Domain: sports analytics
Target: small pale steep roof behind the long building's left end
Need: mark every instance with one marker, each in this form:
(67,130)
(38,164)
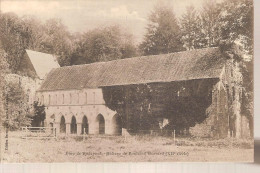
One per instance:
(43,63)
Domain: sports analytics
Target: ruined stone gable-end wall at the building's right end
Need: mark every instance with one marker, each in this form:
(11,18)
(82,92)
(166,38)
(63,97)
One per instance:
(224,114)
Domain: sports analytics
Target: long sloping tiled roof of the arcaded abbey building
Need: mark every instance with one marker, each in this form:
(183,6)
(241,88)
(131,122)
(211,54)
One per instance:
(187,65)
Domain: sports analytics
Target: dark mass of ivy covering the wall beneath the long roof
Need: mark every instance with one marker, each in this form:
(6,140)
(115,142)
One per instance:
(148,104)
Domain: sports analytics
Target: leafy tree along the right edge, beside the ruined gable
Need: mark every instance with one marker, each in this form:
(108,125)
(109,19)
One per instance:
(237,21)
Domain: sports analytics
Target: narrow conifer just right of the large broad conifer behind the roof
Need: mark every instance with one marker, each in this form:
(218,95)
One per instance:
(191,29)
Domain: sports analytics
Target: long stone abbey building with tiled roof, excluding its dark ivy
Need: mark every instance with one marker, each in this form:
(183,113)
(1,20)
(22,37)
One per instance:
(74,99)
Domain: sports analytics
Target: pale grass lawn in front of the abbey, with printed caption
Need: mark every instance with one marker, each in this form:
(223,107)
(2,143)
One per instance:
(121,149)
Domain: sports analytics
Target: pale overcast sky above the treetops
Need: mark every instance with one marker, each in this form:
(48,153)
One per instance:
(81,16)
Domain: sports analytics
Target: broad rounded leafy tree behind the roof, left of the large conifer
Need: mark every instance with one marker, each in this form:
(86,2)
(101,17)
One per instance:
(103,44)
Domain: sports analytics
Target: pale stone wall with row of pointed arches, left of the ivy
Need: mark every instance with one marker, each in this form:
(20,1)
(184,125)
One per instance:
(77,104)
